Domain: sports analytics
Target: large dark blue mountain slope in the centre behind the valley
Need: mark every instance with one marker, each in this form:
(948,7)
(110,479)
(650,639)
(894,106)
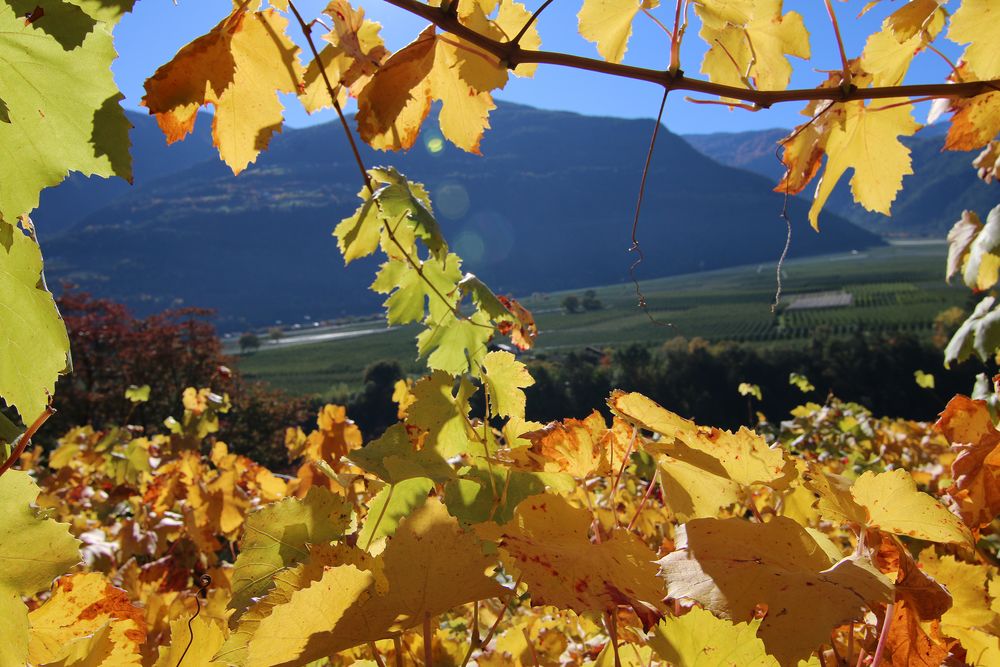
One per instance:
(549,207)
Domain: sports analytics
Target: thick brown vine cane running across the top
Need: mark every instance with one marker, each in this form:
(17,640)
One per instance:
(513,55)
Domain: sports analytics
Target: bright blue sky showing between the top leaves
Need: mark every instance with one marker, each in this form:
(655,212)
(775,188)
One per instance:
(156,29)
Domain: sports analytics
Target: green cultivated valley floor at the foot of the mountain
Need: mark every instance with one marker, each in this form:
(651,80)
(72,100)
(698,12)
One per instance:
(898,288)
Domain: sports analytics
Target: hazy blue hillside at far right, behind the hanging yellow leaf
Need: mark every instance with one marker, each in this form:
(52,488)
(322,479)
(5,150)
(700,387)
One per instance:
(933,198)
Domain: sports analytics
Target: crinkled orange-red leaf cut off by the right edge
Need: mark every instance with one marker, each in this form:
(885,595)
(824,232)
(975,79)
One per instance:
(967,424)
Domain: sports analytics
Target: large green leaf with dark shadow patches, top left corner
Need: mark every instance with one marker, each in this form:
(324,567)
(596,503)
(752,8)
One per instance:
(62,104)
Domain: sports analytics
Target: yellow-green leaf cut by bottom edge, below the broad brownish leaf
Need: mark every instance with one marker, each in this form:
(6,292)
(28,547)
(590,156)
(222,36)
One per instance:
(700,639)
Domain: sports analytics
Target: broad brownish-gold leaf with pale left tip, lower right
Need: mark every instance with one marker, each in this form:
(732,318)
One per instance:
(735,568)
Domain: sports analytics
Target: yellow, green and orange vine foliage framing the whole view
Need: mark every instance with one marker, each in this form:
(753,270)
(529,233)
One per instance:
(459,535)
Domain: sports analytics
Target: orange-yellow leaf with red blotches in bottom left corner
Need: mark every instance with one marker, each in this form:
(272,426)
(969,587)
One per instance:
(80,605)
